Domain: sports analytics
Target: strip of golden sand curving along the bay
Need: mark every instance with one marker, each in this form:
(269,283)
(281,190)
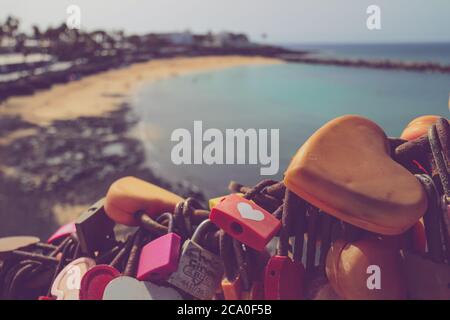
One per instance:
(105,92)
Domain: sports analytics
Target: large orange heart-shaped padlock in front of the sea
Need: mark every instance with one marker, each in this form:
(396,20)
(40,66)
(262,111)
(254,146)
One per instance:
(346,170)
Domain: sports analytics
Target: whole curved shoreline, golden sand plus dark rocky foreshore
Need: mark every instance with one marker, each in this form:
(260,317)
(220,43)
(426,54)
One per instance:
(60,148)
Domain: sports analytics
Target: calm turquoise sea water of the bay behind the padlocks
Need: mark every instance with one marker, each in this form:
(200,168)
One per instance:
(295,98)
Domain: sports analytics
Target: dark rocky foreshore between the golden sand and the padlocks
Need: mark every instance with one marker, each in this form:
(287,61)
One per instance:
(48,173)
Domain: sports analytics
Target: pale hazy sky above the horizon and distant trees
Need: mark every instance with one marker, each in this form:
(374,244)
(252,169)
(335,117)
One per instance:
(284,21)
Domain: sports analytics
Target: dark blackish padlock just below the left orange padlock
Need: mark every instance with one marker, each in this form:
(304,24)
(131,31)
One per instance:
(95,229)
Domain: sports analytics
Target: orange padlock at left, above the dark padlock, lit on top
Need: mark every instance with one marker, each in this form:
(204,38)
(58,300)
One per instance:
(130,195)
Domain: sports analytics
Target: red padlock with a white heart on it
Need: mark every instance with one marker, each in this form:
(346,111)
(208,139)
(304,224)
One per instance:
(245,221)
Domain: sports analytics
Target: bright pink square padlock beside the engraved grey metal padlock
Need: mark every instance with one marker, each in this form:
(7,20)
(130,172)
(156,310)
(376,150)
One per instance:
(159,258)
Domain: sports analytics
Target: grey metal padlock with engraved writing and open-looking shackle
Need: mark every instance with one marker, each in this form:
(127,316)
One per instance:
(199,271)
